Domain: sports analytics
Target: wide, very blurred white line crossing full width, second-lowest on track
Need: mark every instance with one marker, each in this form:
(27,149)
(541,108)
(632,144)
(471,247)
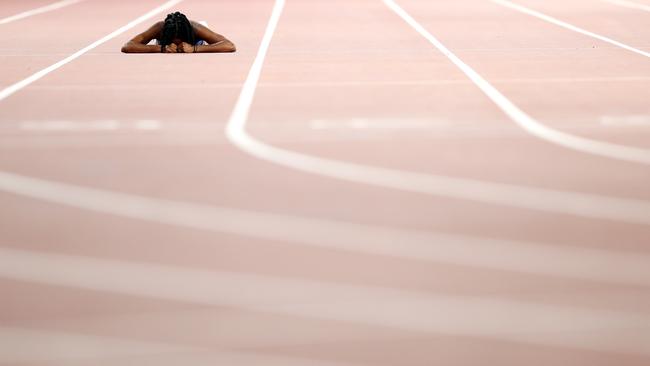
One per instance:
(483,316)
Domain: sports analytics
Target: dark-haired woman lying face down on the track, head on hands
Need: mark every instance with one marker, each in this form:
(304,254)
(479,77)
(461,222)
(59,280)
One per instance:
(177,34)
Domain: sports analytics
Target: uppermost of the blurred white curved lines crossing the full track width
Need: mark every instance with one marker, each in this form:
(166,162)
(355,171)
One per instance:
(560,261)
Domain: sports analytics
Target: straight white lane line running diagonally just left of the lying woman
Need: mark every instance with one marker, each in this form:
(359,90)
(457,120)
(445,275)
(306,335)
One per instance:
(8,91)
